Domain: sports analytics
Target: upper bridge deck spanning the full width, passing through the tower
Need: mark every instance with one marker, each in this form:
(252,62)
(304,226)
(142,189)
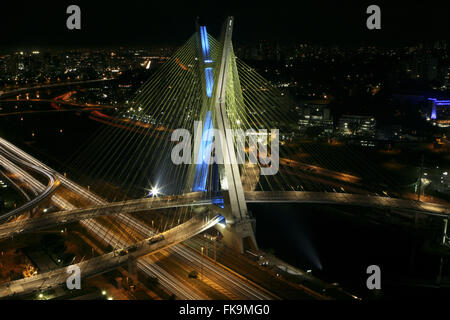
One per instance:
(198,199)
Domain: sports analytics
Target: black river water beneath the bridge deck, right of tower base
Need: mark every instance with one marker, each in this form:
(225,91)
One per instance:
(338,247)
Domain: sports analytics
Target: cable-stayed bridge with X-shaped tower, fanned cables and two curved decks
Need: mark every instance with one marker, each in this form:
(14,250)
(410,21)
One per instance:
(202,88)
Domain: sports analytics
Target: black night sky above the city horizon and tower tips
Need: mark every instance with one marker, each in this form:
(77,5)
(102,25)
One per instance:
(146,23)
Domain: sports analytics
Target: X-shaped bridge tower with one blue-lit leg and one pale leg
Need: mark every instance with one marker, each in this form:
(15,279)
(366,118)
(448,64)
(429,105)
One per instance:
(225,177)
